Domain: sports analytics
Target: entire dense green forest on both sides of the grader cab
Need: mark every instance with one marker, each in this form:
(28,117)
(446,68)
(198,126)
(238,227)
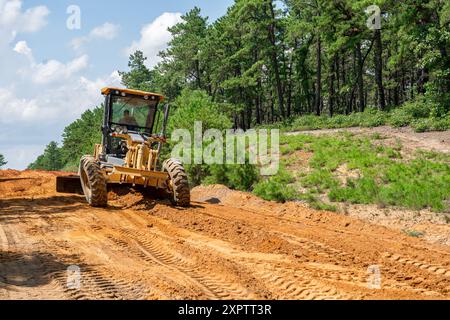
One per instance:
(294,64)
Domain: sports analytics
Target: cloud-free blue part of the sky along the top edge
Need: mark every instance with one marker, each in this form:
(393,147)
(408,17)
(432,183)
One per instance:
(131,16)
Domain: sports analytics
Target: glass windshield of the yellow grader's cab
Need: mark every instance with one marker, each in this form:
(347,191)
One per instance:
(137,114)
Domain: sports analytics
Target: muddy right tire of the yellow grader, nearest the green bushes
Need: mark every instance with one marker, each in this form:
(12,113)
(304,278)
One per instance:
(179,185)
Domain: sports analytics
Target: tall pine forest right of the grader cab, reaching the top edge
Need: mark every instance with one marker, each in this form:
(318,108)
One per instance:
(310,57)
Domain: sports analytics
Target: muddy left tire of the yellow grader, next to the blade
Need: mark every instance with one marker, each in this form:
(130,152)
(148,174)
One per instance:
(93,182)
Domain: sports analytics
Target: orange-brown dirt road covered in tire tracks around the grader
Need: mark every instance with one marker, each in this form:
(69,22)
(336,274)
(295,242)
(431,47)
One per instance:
(228,245)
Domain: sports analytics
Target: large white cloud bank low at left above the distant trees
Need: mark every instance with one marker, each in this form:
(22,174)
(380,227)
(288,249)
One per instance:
(38,105)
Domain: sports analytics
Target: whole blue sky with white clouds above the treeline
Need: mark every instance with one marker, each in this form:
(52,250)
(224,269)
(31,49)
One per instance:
(50,74)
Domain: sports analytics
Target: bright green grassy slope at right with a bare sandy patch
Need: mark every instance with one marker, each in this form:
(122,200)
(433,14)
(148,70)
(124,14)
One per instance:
(356,170)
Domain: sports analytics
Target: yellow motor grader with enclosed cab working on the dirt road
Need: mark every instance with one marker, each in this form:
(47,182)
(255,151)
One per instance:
(129,151)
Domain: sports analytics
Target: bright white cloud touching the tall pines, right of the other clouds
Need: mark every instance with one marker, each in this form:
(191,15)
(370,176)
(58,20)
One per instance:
(154,37)
